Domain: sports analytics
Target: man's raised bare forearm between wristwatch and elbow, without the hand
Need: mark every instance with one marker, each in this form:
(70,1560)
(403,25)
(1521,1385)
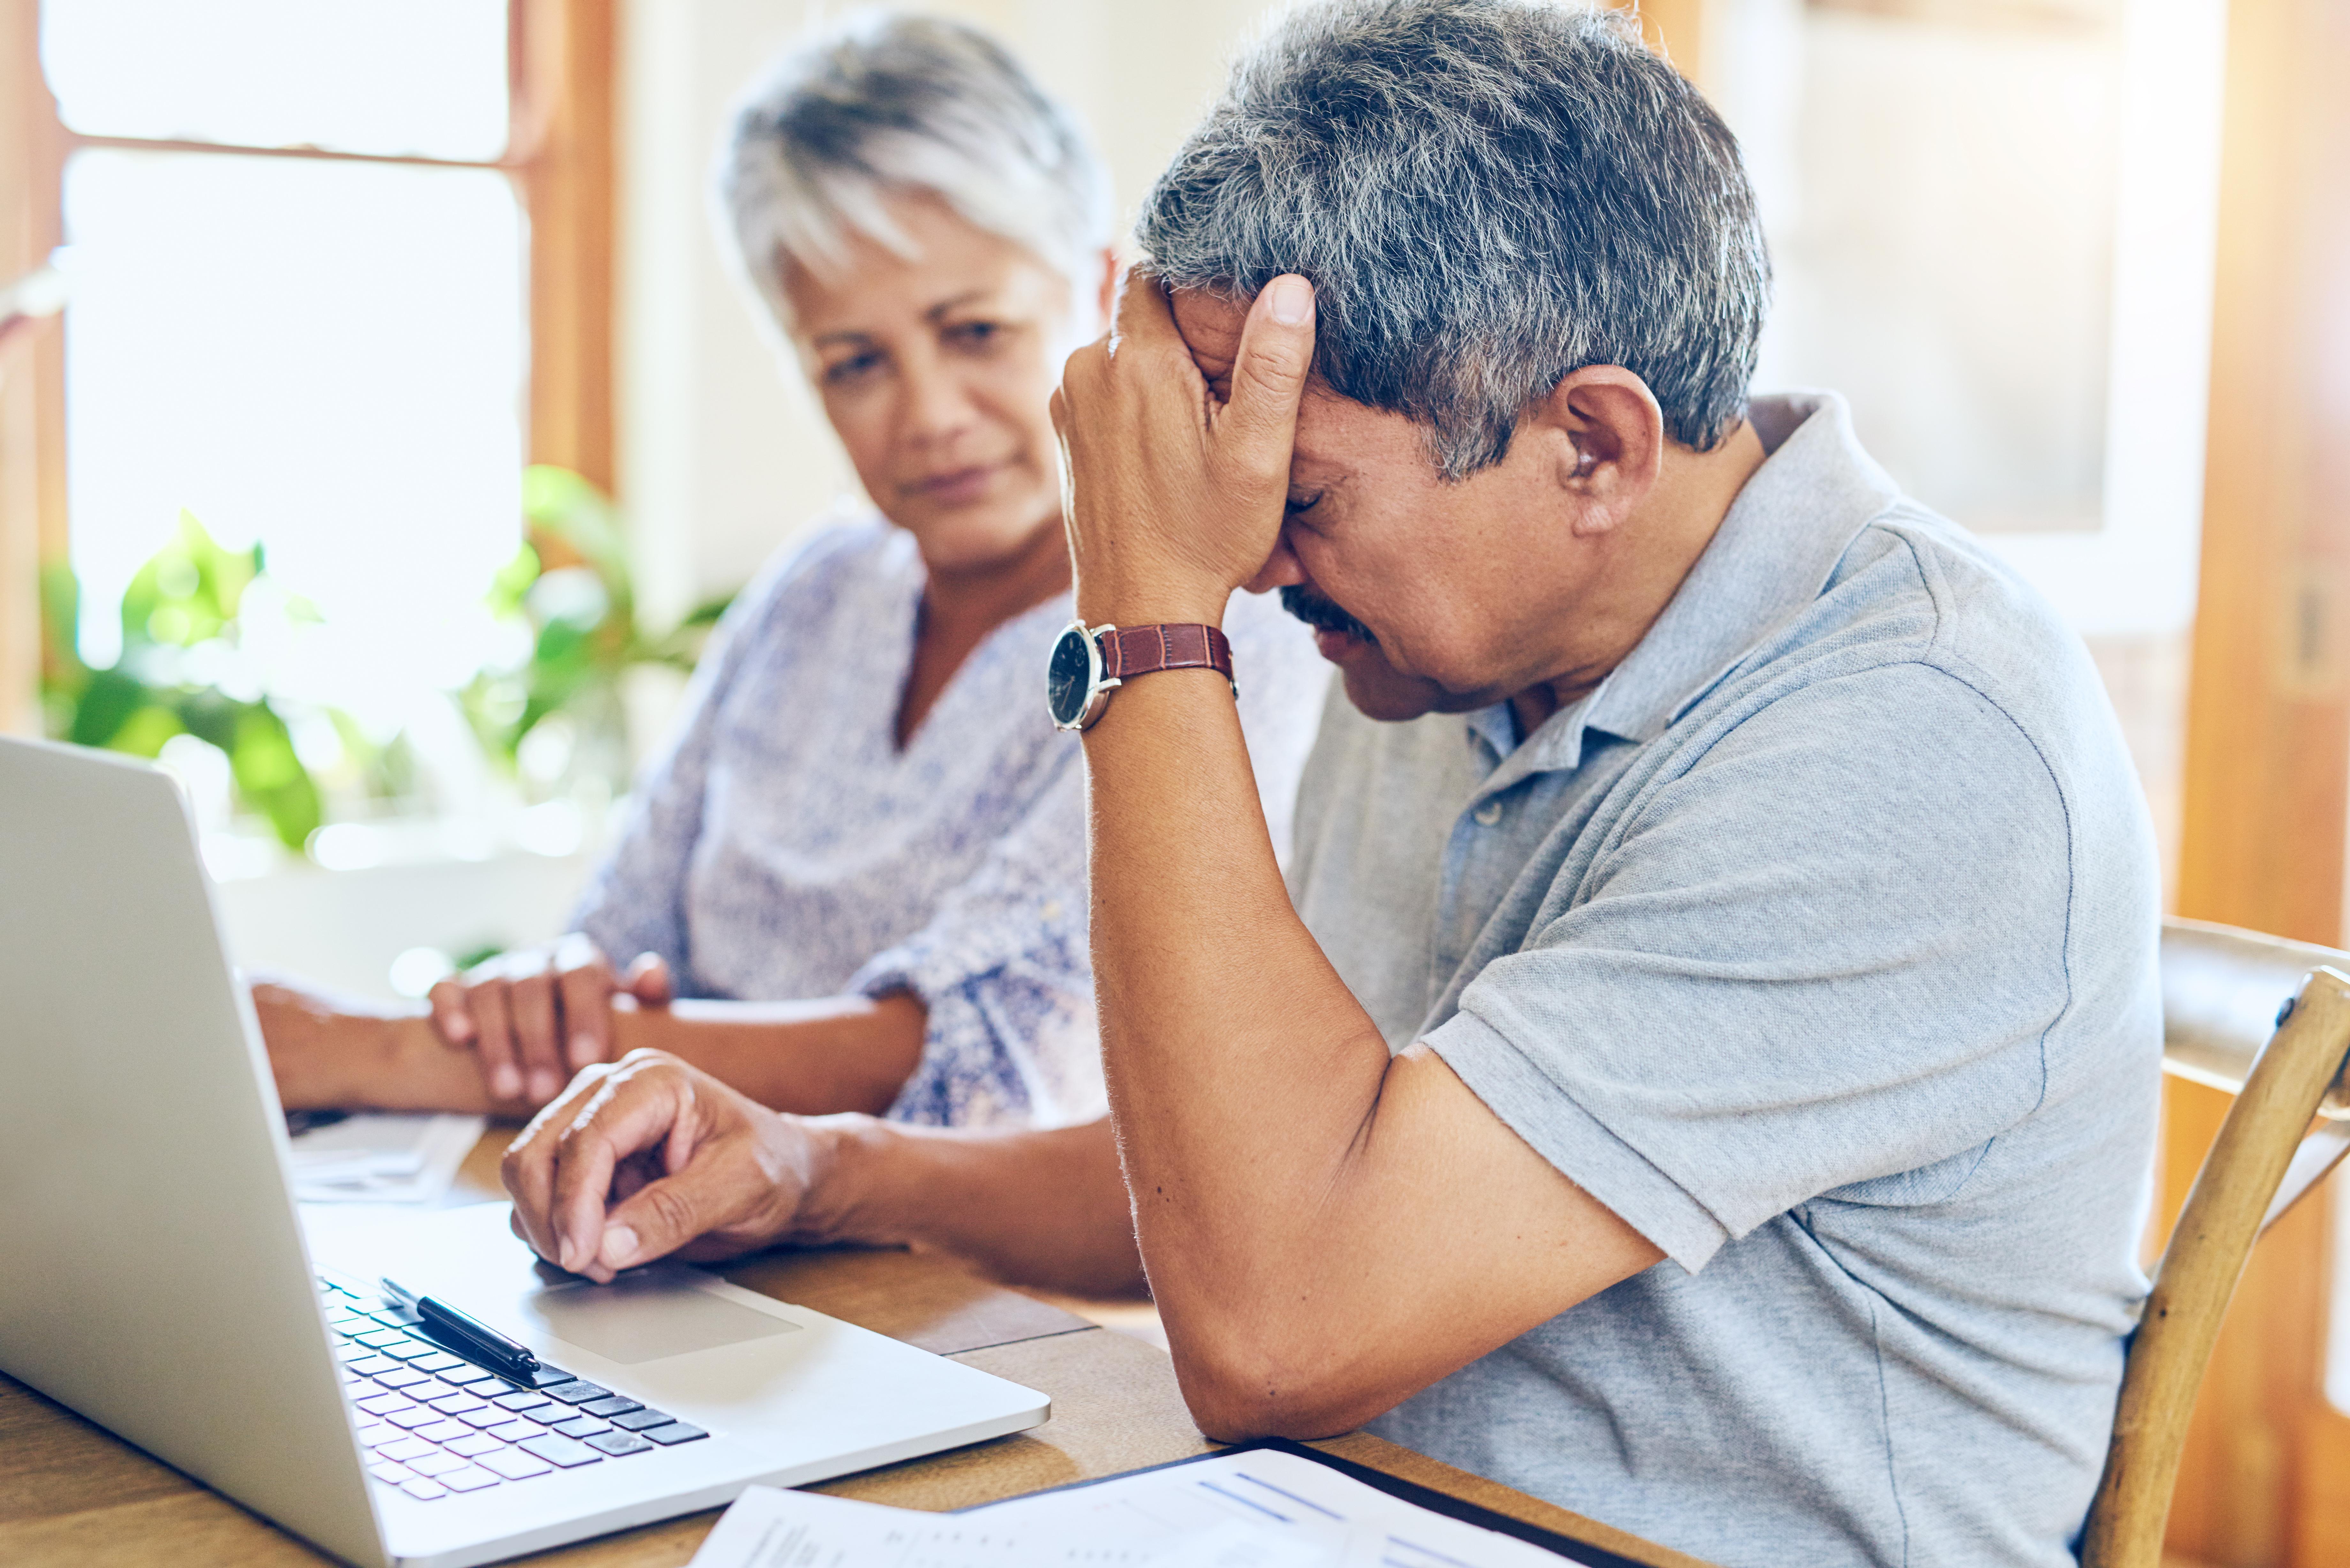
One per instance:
(1242,1071)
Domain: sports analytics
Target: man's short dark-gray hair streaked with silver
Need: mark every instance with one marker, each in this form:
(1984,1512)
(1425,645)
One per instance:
(1486,196)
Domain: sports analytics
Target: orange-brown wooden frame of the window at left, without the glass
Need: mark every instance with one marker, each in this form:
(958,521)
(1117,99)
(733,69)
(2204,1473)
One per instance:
(560,156)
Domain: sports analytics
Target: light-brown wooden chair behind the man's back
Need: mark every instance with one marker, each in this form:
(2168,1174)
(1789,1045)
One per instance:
(2269,1021)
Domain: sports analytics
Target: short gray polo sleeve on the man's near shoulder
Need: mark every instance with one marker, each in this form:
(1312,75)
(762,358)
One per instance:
(1820,953)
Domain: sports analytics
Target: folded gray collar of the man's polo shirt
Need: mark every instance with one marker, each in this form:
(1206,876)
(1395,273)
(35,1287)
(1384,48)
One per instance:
(1771,558)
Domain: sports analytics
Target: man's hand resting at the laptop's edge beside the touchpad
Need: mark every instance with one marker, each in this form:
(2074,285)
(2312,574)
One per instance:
(650,1158)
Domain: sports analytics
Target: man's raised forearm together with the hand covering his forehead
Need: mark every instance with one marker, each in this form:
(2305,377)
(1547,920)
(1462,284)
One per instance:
(1242,1073)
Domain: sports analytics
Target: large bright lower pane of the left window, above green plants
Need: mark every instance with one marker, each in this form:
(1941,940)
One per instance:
(316,356)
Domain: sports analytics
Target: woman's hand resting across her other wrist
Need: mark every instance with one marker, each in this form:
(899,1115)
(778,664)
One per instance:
(542,1014)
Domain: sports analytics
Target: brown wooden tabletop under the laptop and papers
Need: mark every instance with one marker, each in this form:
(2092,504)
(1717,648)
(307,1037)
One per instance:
(74,1494)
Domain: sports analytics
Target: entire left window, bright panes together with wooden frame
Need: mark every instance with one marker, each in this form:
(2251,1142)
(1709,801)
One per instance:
(337,274)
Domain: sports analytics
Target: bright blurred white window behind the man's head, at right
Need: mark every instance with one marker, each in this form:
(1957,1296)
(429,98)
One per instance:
(1994,229)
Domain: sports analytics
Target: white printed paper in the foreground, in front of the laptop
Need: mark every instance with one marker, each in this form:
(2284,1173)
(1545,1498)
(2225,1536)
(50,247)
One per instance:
(1237,1510)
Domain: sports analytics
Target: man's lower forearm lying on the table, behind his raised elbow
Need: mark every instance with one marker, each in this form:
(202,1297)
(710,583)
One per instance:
(1030,1209)
